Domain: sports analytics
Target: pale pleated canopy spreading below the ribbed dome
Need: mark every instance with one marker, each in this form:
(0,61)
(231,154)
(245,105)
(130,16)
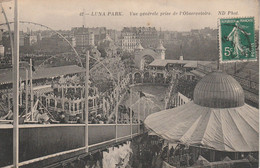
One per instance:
(223,129)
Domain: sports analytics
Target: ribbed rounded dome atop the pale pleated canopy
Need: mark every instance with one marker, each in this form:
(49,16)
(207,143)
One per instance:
(219,90)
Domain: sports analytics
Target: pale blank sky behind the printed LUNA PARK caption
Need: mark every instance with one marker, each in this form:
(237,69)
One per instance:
(64,14)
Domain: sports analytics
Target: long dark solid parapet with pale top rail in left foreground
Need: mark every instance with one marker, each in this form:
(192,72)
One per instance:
(39,142)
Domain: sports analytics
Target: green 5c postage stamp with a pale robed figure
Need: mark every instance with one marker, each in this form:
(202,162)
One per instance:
(237,39)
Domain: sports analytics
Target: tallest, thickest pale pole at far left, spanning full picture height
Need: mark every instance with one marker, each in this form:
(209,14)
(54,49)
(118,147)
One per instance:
(16,88)
